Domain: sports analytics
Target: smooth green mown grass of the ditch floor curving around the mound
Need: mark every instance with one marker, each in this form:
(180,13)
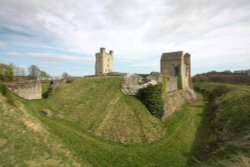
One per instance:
(172,150)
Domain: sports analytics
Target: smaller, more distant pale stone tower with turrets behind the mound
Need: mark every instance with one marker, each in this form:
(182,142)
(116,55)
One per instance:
(104,62)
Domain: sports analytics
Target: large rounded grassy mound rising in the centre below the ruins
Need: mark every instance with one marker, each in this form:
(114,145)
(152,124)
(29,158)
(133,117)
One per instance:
(98,105)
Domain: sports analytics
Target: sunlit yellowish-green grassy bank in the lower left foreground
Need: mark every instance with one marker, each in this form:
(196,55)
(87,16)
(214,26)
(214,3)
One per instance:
(26,141)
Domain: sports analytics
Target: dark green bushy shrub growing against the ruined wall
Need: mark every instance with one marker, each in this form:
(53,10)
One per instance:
(152,99)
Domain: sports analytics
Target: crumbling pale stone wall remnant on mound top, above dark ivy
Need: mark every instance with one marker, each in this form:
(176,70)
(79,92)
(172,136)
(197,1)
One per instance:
(133,82)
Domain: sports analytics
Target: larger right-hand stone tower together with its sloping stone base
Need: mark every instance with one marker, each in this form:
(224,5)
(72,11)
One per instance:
(176,71)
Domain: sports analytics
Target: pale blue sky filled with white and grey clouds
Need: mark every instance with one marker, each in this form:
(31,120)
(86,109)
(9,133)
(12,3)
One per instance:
(64,35)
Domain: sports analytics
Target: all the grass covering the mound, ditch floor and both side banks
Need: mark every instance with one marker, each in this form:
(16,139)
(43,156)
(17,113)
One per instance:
(93,123)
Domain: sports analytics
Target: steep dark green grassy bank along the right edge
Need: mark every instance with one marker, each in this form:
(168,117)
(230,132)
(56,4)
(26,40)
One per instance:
(225,137)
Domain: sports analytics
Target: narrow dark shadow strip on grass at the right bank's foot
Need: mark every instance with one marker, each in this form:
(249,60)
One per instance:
(200,148)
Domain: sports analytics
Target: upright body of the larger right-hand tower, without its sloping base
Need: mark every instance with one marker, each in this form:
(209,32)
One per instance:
(175,67)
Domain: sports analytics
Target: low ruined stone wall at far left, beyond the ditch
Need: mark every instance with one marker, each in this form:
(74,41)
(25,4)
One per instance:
(30,89)
